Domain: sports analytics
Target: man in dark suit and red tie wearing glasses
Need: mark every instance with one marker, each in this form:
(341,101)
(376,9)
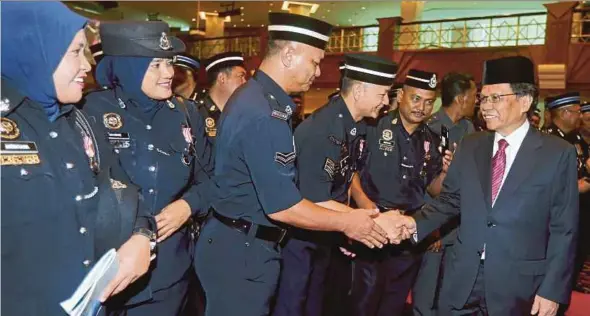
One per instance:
(516,191)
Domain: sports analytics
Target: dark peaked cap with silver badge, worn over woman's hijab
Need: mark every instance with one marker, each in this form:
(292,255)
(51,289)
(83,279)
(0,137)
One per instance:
(139,39)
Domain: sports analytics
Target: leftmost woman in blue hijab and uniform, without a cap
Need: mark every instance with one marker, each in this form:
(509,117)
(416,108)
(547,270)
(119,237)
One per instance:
(55,178)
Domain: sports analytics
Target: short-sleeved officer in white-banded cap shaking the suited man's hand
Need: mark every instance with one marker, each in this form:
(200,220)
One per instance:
(239,251)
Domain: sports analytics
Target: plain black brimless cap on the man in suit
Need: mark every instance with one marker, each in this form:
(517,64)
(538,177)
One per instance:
(514,69)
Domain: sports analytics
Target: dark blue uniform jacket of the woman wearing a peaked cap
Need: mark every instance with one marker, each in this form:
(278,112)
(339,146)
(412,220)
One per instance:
(156,150)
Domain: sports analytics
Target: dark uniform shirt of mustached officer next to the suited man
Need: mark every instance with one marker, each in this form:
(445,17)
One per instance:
(400,166)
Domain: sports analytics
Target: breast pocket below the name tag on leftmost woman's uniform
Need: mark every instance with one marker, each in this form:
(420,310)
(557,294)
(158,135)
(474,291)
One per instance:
(29,195)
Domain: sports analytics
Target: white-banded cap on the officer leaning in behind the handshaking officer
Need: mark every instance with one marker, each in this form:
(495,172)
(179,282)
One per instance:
(371,69)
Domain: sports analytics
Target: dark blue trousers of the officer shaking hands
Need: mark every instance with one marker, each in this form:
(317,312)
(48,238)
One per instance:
(239,273)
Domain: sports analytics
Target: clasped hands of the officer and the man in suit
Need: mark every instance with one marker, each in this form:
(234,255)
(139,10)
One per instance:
(389,227)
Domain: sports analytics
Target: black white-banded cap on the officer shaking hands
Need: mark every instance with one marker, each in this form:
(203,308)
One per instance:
(299,28)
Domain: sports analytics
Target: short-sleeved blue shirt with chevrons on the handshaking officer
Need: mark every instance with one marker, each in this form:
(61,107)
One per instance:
(255,154)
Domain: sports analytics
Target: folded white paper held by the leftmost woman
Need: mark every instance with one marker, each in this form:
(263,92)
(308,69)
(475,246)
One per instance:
(85,300)
